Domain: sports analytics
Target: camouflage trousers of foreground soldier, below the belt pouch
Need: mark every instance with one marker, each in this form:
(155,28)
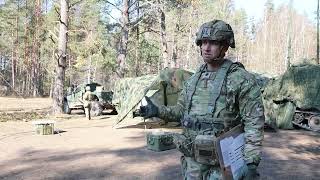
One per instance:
(192,170)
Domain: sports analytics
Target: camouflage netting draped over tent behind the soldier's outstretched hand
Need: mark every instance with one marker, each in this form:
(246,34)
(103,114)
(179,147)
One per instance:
(162,89)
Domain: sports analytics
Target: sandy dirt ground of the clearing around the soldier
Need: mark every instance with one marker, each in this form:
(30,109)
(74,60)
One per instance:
(96,150)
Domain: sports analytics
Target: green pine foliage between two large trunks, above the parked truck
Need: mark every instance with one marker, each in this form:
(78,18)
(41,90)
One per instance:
(89,42)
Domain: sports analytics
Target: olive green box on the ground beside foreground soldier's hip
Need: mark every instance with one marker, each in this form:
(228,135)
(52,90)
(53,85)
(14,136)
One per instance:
(160,141)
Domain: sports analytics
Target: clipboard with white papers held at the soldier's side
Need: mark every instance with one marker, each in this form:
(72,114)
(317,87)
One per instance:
(236,137)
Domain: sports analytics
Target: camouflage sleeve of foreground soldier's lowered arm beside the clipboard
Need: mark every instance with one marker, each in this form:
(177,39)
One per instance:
(252,114)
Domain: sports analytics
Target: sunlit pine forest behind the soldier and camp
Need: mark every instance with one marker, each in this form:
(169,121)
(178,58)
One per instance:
(47,45)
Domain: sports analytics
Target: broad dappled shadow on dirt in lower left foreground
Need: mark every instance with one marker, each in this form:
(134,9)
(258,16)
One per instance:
(44,164)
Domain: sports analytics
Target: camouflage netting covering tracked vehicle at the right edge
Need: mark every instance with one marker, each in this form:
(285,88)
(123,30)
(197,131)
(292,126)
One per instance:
(298,87)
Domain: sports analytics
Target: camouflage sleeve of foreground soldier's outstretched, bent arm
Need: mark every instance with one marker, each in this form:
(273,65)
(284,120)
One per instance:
(174,113)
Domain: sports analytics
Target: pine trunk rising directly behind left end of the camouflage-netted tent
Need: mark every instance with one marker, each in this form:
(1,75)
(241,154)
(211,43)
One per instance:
(122,48)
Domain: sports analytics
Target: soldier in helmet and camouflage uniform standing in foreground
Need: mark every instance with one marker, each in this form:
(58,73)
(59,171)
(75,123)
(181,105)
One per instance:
(219,96)
